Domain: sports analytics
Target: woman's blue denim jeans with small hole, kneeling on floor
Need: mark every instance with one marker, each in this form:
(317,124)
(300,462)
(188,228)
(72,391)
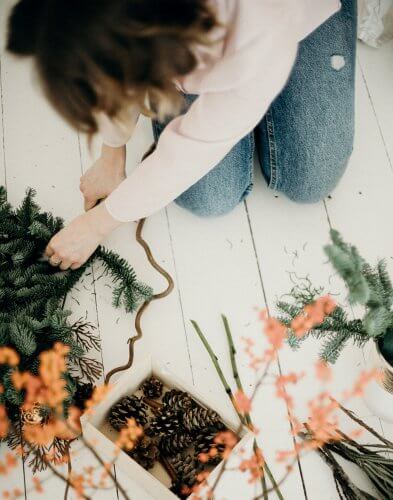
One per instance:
(305,139)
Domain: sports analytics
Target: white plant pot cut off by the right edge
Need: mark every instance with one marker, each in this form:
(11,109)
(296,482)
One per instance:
(378,394)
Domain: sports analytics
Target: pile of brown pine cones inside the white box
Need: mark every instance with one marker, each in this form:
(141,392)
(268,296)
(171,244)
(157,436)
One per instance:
(176,431)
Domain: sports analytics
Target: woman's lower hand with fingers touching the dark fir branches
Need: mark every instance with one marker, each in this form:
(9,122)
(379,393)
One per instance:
(72,246)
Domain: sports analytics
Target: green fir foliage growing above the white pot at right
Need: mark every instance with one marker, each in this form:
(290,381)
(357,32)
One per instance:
(368,286)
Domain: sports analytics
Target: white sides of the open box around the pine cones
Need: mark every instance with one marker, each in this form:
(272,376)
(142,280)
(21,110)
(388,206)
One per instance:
(154,484)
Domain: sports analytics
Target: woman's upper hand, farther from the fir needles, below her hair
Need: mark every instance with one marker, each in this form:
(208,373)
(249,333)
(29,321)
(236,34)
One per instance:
(103,176)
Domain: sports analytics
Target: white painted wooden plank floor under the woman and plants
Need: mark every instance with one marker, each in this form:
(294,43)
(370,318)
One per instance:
(228,265)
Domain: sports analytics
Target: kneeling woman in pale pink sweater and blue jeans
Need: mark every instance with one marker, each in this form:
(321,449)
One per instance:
(277,75)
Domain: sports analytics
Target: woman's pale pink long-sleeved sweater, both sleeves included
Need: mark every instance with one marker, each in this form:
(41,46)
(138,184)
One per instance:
(236,80)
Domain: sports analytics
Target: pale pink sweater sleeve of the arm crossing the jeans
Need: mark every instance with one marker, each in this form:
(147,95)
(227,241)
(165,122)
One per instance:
(194,143)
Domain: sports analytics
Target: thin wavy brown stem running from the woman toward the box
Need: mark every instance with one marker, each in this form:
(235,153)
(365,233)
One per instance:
(142,309)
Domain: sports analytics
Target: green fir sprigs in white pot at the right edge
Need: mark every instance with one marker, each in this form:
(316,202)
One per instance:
(369,287)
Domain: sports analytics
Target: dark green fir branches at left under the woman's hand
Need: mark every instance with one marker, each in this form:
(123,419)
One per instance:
(32,294)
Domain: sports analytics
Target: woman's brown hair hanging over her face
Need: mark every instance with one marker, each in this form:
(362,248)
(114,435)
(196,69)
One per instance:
(107,55)
